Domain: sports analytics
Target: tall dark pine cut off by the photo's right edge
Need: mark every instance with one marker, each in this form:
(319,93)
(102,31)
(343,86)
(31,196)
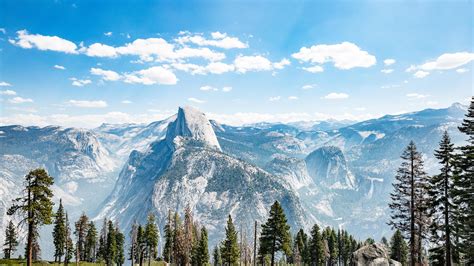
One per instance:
(464,190)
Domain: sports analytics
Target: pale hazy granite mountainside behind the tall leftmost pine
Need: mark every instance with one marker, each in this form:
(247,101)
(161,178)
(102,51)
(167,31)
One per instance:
(82,167)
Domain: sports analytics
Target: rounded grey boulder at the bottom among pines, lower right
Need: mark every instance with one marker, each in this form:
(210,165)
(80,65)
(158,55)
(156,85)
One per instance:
(373,255)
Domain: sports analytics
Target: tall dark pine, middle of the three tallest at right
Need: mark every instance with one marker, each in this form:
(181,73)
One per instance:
(441,204)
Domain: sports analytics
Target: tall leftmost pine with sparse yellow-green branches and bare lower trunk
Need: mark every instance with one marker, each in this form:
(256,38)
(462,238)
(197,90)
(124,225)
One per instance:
(35,206)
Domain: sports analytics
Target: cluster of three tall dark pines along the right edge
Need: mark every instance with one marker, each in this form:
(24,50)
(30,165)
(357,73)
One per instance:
(437,211)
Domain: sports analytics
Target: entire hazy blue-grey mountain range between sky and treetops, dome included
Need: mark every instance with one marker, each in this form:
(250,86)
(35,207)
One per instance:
(330,172)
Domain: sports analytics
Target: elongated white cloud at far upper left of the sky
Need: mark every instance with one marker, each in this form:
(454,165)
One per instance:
(44,43)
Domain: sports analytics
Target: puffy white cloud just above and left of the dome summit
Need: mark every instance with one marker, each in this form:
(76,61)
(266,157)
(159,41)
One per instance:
(152,75)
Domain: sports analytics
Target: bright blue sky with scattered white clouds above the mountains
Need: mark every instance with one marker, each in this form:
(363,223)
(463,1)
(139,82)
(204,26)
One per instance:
(81,63)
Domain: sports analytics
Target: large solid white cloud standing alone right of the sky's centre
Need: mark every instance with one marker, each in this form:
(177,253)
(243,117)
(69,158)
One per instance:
(345,55)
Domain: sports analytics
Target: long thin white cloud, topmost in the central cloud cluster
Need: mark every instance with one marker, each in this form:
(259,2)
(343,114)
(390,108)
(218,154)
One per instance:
(220,40)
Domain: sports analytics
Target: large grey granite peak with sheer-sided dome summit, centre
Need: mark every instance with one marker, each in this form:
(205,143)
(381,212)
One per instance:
(188,167)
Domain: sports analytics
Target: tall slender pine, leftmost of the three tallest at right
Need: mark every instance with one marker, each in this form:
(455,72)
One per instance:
(407,204)
